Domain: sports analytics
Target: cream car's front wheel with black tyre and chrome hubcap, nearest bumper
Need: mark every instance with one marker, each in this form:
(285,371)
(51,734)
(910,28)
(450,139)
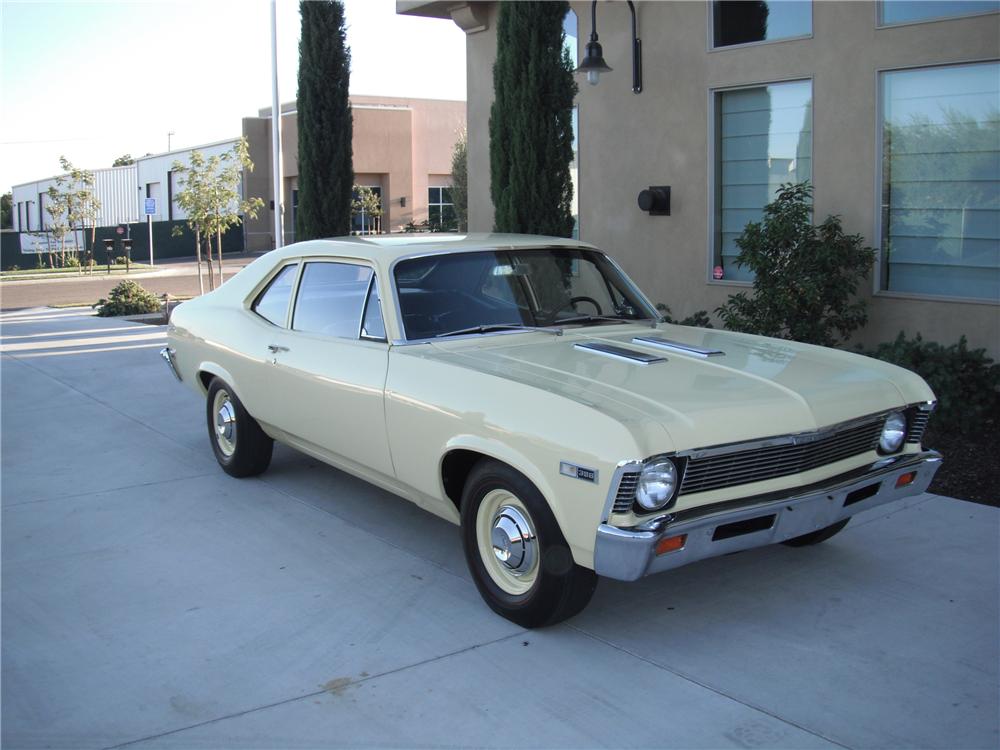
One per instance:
(517,554)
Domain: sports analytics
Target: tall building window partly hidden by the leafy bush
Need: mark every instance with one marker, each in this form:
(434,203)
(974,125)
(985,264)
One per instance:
(763,139)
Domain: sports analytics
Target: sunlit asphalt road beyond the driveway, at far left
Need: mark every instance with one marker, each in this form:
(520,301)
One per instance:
(177,277)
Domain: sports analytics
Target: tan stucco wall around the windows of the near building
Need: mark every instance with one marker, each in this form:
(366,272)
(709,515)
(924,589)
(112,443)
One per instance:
(662,136)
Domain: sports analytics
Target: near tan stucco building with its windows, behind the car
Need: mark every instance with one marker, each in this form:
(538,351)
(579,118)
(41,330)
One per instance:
(889,108)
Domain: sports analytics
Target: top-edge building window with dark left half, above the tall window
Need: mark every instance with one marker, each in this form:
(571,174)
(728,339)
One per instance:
(742,22)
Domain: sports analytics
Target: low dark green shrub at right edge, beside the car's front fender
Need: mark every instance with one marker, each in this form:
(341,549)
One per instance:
(965,381)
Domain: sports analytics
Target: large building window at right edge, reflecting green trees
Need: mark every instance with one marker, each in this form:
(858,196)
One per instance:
(940,196)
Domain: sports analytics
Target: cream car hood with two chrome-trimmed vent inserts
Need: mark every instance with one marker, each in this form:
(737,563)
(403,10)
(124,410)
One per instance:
(759,387)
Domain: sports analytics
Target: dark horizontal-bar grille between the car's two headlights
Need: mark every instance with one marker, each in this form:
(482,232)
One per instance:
(759,464)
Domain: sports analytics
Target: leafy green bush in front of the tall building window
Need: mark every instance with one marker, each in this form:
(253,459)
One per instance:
(805,276)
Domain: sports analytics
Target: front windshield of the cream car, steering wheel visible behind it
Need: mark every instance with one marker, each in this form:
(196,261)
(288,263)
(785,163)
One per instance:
(446,294)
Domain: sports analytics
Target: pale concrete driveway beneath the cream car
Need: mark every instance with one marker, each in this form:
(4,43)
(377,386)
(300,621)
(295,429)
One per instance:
(149,600)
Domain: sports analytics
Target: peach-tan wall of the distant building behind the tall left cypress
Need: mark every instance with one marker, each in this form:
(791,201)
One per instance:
(401,145)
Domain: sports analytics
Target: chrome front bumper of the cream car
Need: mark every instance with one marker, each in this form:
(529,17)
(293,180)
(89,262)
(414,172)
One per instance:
(631,553)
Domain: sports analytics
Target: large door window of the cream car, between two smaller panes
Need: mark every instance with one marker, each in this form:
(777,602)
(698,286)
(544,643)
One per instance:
(331,299)
